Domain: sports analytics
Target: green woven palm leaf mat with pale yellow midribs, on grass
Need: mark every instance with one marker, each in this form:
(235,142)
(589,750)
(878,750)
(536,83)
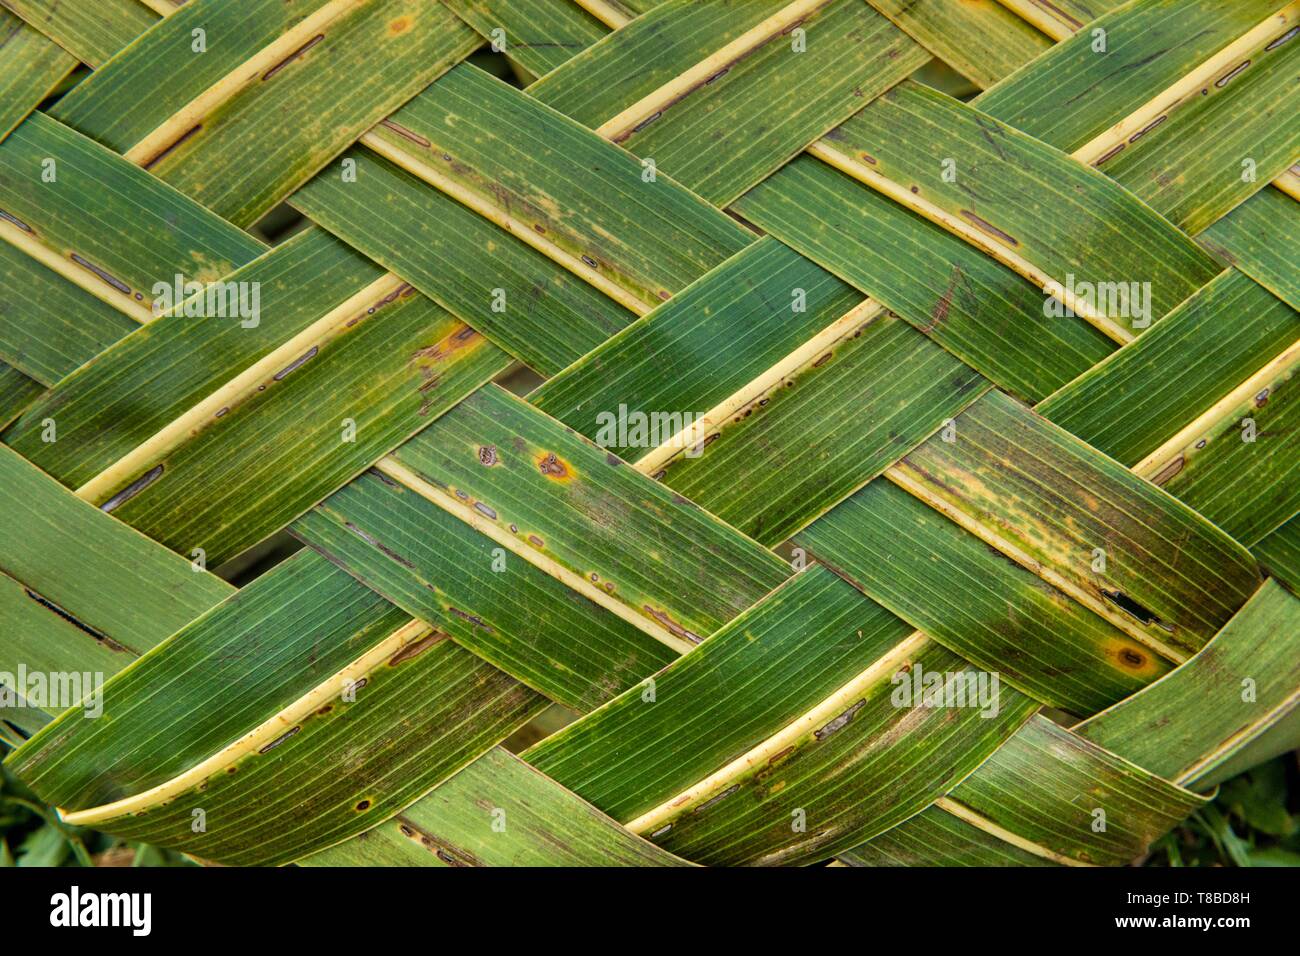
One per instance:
(859,431)
